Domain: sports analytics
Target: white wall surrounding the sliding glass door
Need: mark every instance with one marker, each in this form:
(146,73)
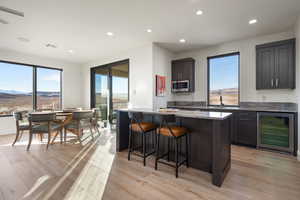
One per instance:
(140,75)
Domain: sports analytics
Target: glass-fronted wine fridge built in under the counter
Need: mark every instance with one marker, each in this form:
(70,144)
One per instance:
(275,131)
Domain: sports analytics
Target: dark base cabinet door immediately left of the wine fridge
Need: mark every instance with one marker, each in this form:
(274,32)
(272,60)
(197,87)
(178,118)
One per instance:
(247,128)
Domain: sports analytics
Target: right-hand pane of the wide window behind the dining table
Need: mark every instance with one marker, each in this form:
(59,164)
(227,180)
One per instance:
(48,89)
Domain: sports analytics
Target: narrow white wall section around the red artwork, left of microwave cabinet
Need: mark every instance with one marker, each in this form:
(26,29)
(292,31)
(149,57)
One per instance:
(161,66)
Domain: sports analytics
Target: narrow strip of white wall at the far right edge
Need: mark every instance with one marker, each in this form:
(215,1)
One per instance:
(297,33)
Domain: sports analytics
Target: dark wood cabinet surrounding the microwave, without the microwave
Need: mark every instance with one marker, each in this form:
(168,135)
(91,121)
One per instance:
(184,69)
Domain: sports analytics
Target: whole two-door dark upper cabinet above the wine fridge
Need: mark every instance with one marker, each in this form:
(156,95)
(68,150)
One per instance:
(275,65)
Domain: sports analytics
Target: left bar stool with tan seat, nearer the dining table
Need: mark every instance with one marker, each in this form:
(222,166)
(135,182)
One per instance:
(138,126)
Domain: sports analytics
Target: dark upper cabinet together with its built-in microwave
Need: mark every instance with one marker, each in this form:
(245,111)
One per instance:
(183,75)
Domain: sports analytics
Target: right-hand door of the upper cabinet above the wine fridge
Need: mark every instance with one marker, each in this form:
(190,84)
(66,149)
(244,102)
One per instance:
(284,67)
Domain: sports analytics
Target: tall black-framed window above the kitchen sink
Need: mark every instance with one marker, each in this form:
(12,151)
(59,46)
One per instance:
(223,80)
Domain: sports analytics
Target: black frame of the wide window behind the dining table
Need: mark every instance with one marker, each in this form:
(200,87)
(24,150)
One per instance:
(34,82)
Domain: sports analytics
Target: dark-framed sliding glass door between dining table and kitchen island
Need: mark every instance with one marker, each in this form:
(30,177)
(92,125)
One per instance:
(110,84)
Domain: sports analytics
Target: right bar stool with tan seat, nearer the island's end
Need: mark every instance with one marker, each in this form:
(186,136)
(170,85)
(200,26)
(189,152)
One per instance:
(171,132)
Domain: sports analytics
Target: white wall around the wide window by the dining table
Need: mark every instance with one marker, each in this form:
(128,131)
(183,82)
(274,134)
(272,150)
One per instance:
(71,83)
